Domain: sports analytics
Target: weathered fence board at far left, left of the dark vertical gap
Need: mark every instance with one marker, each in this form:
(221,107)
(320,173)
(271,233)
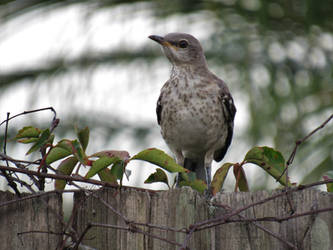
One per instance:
(32,223)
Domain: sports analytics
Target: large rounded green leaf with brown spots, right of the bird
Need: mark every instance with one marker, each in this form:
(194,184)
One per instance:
(270,160)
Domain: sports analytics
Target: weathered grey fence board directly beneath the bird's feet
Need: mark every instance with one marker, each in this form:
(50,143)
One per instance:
(178,208)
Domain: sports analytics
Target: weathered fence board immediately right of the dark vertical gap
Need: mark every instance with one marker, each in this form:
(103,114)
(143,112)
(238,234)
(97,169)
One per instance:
(131,203)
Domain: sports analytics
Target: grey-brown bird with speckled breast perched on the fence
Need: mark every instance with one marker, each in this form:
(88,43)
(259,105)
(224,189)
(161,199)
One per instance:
(195,109)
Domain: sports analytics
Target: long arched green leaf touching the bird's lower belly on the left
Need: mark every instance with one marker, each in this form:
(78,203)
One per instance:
(159,158)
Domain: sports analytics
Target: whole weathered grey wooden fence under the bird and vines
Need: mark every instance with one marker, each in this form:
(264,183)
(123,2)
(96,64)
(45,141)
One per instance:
(136,219)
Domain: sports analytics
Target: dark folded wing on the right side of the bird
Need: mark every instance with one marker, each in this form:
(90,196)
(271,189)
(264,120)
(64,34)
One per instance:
(229,111)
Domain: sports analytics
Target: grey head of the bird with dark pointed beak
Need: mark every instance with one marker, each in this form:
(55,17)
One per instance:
(181,48)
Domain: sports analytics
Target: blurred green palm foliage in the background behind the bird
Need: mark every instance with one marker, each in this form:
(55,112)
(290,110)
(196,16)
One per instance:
(276,55)
